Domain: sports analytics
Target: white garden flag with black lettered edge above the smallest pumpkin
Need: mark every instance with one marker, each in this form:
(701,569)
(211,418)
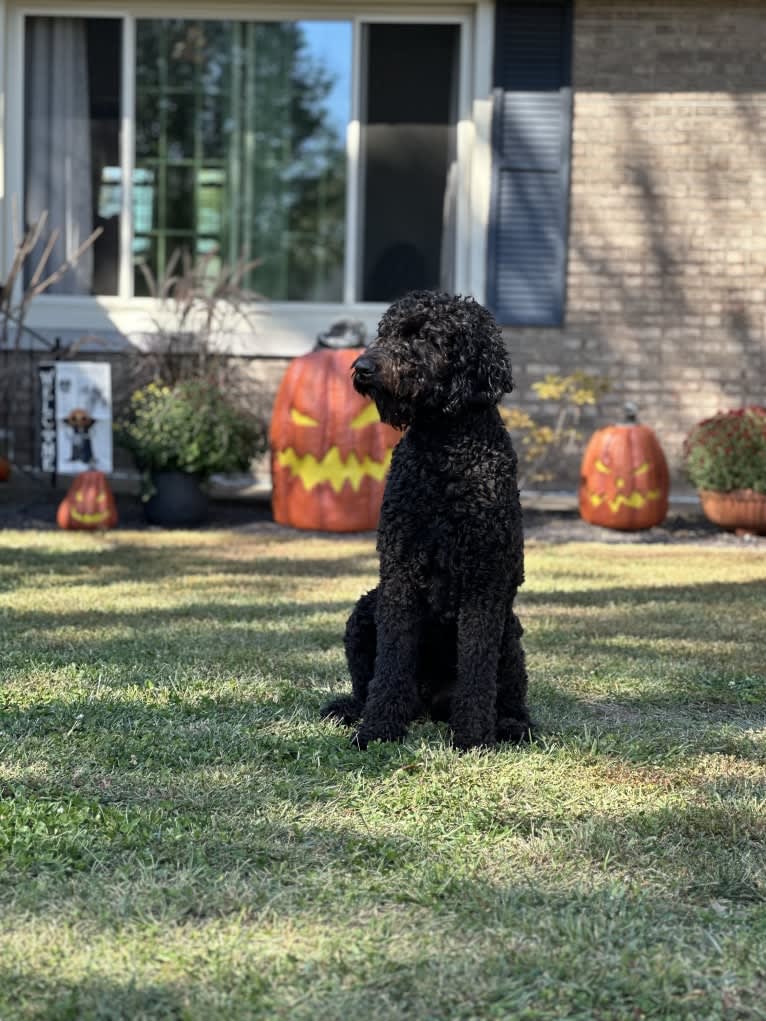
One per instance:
(76,417)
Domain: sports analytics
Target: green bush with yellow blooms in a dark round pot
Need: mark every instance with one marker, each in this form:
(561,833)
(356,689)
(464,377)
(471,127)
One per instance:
(181,435)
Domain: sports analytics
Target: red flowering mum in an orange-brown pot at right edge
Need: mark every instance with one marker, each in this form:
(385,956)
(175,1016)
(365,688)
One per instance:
(726,461)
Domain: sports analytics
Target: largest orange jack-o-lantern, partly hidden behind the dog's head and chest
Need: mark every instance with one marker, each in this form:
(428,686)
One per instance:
(330,452)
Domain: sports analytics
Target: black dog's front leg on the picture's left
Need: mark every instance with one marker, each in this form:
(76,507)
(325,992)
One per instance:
(393,698)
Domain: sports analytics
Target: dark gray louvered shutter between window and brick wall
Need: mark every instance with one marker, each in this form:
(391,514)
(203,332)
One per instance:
(532,144)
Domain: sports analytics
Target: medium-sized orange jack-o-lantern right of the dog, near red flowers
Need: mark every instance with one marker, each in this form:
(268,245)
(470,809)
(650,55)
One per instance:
(625,479)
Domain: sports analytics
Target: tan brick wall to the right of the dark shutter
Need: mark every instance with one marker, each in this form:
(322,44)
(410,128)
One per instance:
(667,251)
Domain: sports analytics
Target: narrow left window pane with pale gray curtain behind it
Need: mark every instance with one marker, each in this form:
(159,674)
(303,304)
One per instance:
(72,152)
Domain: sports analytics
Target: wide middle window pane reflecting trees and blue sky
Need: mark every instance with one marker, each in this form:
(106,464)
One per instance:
(242,141)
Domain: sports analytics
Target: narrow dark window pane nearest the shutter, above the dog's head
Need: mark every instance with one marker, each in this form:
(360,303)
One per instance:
(409,142)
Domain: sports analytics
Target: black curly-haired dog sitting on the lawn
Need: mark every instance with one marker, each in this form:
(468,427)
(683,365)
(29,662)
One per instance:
(439,637)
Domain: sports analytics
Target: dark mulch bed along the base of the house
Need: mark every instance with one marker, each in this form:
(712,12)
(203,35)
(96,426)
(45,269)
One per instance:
(36,509)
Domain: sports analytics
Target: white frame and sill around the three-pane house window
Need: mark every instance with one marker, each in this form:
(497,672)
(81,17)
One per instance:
(282,328)
